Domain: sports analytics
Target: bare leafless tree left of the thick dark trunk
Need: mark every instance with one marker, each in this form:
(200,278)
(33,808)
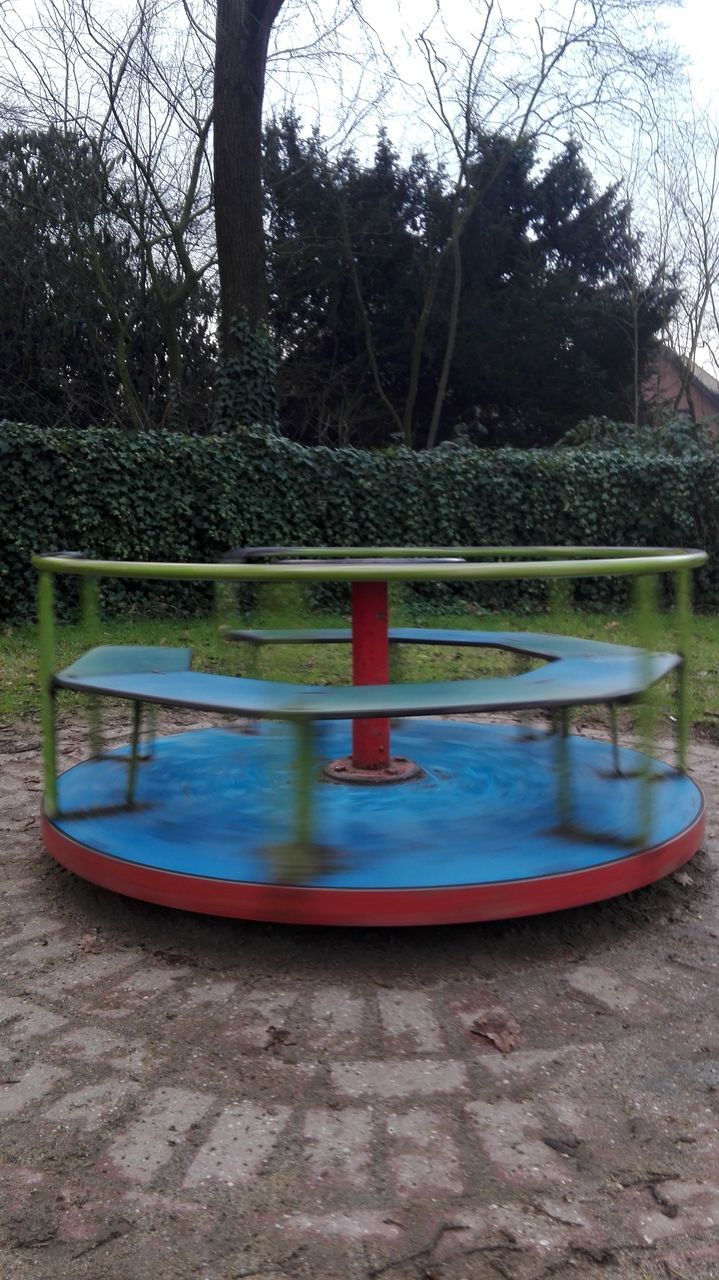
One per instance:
(138,89)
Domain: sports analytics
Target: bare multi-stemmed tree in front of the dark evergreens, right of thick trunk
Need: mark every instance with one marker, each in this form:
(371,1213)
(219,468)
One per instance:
(579,70)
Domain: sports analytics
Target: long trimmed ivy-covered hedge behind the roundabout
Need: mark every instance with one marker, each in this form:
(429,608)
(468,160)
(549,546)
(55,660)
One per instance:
(177,497)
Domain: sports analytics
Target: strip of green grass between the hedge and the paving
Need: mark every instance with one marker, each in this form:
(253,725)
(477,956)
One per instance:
(331,664)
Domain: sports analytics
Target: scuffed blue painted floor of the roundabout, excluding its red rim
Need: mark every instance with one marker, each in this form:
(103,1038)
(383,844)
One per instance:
(217,802)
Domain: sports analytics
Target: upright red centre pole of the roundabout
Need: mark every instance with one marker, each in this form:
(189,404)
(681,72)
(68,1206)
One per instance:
(370,666)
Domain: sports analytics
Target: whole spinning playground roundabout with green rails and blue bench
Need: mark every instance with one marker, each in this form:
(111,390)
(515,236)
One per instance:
(365,804)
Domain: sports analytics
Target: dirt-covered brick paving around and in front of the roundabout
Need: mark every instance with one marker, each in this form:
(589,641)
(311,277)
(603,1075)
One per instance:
(187,1098)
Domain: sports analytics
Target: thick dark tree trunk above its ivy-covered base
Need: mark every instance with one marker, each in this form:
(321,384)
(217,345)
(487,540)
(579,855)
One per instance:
(244,33)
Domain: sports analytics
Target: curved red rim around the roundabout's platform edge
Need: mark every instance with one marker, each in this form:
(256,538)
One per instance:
(294,904)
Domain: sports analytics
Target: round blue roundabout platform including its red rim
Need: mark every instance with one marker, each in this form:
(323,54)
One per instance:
(478,836)
